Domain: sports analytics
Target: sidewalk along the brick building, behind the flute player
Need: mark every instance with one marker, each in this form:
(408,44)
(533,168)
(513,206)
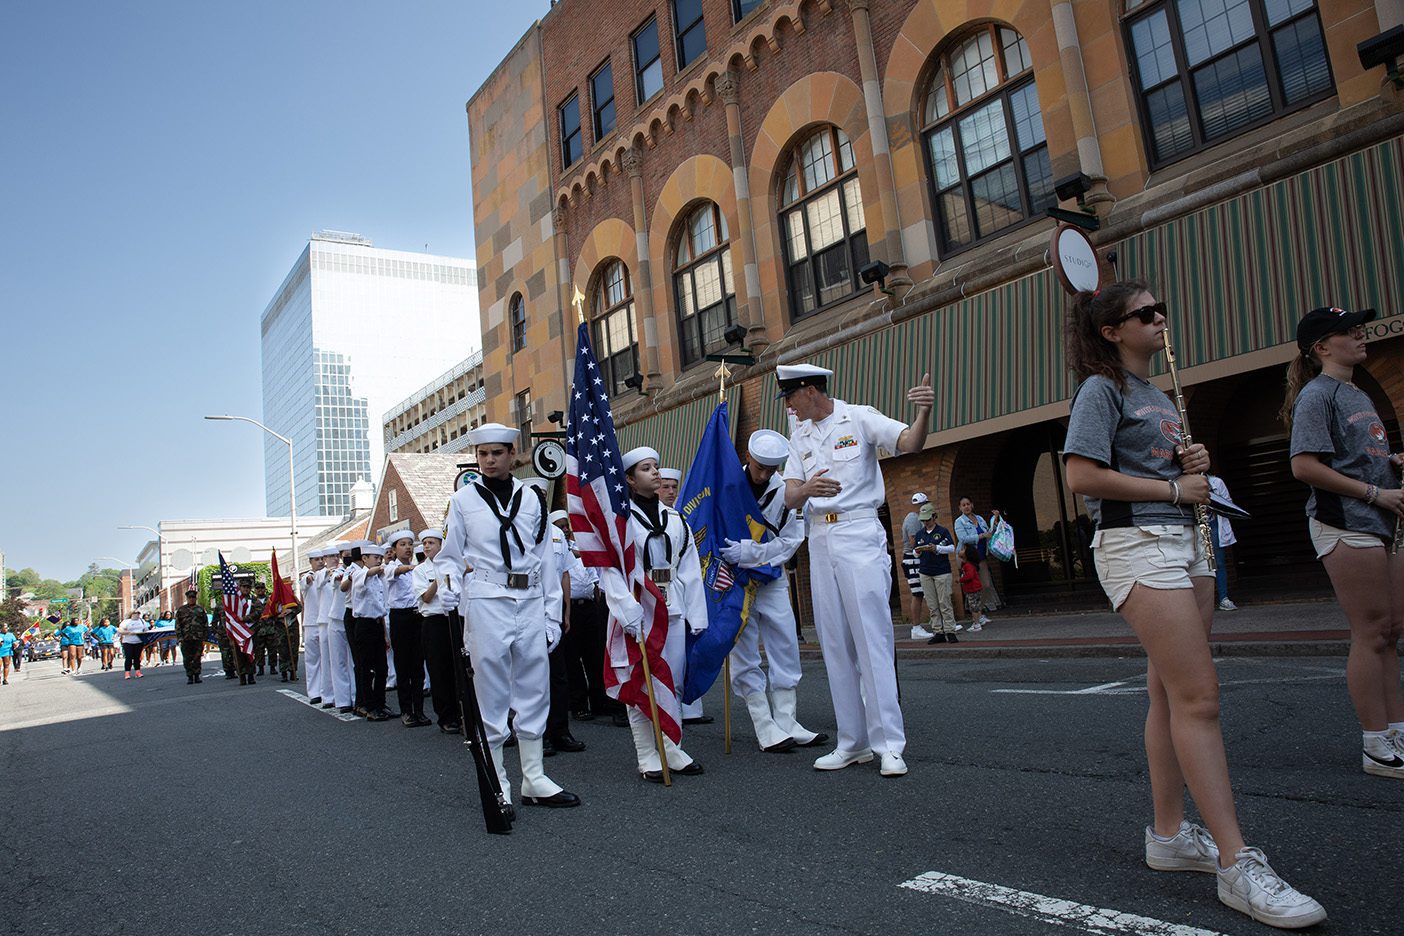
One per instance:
(1305,628)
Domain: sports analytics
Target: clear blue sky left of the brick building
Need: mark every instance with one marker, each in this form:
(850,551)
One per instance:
(162,168)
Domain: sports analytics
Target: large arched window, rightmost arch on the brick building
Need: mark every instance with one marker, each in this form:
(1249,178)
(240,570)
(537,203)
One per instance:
(986,152)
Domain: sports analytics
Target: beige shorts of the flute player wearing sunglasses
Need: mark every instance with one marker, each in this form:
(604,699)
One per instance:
(1155,556)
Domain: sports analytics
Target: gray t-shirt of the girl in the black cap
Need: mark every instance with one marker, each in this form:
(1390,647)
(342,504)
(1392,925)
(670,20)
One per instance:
(1339,423)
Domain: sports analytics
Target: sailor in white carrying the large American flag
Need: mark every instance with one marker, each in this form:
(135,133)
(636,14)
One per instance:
(665,544)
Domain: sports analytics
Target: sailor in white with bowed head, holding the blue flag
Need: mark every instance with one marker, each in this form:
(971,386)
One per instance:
(773,620)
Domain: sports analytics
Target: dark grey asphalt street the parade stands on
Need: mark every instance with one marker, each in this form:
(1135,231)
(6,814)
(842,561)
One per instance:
(155,808)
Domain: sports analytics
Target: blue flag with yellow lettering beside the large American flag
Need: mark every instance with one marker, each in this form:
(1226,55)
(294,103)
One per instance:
(718,504)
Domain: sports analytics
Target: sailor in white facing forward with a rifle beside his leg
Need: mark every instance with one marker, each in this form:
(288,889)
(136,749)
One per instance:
(496,534)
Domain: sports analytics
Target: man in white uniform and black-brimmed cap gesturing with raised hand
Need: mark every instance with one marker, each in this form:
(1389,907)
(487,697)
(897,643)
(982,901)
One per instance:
(833,475)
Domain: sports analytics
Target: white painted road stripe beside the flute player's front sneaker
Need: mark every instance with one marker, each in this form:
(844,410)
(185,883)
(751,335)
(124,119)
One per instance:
(1048,910)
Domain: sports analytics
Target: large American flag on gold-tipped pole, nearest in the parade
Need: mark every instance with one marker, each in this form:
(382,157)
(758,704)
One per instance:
(599,500)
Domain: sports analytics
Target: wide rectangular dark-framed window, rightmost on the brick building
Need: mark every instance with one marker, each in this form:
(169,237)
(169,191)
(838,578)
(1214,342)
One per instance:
(1208,69)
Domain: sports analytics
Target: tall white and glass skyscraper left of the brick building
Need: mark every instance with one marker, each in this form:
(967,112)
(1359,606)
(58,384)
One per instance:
(352,332)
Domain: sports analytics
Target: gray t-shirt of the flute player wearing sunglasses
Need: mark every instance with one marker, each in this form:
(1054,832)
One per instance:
(1134,433)
